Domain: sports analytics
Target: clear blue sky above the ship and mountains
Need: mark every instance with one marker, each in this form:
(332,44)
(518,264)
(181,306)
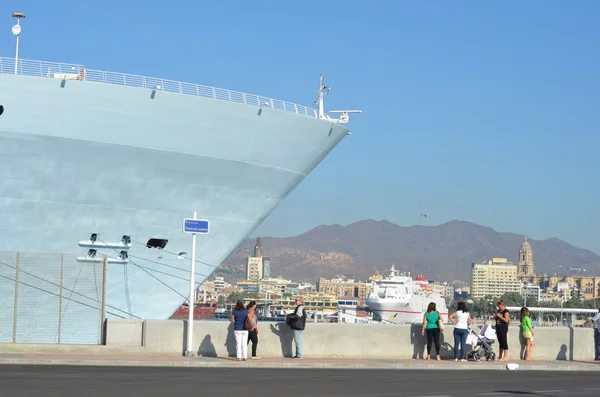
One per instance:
(480,111)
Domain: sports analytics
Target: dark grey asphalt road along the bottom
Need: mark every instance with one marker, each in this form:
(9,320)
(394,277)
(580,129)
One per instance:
(63,381)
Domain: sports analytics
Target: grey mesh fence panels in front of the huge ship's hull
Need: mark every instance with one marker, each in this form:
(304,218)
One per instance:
(51,298)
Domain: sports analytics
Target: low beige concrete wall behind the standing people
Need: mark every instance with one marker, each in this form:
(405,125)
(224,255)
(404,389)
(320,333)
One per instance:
(215,339)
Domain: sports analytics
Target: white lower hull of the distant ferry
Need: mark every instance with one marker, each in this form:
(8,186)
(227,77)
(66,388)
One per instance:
(390,310)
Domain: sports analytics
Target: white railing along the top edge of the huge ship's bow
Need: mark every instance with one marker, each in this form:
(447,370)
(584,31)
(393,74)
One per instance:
(69,71)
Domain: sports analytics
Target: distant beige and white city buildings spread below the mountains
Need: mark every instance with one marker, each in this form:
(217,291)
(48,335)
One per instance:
(489,279)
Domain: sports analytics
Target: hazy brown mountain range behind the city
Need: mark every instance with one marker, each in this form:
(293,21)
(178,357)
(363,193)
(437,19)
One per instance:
(444,252)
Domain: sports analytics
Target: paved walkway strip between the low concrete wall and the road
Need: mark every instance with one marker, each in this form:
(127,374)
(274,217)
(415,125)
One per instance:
(222,362)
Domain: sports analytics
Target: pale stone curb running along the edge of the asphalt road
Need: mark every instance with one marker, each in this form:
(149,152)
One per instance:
(293,365)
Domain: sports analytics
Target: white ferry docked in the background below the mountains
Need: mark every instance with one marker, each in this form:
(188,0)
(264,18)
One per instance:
(401,299)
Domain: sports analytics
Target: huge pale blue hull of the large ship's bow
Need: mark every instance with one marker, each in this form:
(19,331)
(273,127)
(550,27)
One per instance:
(81,158)
